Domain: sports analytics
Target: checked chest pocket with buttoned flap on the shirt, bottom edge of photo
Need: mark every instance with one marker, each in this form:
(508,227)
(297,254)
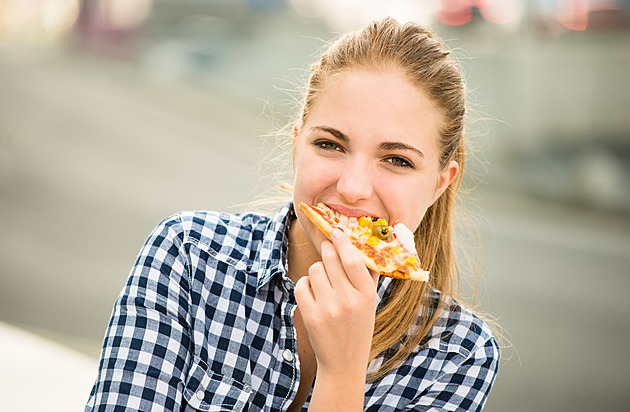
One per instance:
(207,390)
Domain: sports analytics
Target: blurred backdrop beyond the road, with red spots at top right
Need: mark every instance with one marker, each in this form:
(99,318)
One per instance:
(549,77)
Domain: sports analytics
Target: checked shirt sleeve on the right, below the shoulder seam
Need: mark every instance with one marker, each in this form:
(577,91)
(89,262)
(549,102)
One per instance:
(463,386)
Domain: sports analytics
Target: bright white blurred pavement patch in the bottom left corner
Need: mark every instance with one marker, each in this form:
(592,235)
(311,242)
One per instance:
(38,374)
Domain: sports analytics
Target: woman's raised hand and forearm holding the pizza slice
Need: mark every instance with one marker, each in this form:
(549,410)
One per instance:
(337,302)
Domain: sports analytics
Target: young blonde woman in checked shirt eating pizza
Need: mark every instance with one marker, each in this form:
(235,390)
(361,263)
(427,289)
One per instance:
(249,313)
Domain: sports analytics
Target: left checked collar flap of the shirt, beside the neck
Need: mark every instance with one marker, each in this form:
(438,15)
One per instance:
(273,250)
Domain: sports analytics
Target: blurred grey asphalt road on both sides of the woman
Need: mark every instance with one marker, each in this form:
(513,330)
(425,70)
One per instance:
(94,152)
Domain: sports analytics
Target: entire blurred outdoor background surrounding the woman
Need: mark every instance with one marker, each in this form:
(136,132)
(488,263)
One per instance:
(117,113)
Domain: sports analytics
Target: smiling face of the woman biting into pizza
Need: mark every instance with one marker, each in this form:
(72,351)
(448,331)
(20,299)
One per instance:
(369,146)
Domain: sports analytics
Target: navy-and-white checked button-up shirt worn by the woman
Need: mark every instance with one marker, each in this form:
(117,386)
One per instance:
(205,323)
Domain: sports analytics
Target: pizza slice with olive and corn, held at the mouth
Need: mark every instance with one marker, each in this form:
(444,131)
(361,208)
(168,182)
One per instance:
(387,249)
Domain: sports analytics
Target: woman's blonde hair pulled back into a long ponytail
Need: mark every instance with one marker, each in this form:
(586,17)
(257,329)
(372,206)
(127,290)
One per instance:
(415,51)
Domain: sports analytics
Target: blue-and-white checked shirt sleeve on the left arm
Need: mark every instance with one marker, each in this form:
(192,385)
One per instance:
(146,347)
